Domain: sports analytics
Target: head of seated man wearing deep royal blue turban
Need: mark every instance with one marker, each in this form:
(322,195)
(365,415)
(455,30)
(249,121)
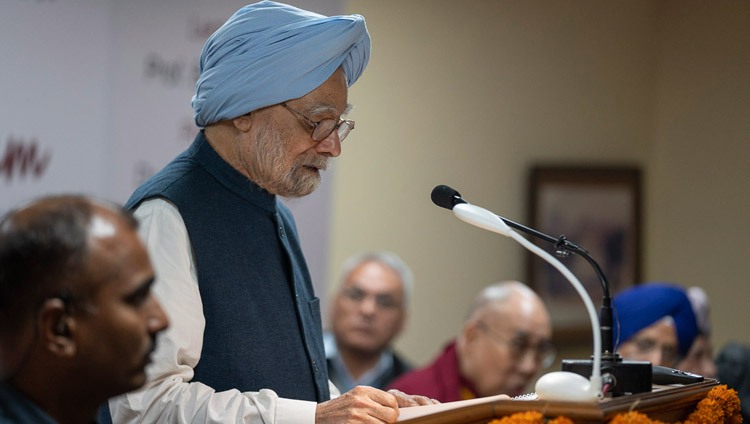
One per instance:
(656,323)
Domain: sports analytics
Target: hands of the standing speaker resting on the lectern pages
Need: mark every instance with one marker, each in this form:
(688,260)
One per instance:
(364,404)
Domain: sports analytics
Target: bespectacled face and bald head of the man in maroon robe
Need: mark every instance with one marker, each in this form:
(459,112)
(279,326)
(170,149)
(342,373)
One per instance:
(506,345)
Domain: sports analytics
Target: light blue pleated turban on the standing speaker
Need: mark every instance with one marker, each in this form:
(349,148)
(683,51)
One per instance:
(269,52)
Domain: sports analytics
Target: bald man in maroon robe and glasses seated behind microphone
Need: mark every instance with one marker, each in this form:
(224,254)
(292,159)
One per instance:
(504,343)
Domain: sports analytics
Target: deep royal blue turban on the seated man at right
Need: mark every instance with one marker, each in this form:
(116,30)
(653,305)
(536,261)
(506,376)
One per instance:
(643,305)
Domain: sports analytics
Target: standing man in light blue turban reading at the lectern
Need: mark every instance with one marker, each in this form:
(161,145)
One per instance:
(246,344)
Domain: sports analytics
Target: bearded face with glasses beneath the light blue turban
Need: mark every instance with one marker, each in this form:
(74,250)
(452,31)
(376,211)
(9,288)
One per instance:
(285,146)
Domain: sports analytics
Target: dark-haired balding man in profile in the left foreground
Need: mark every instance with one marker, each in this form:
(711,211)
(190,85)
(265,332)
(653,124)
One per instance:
(78,321)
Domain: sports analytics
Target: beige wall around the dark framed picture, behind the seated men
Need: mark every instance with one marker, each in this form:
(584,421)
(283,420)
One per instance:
(472,93)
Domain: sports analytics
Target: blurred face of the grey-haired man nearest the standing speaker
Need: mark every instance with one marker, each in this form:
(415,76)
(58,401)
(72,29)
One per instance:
(368,312)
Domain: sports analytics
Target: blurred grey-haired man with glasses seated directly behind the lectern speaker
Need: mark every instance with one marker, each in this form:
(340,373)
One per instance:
(368,312)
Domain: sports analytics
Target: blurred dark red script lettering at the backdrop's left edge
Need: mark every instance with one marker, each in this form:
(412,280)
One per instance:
(23,158)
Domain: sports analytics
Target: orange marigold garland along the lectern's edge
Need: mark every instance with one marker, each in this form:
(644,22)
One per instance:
(721,405)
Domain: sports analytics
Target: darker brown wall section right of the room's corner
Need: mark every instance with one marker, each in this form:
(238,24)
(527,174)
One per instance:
(698,210)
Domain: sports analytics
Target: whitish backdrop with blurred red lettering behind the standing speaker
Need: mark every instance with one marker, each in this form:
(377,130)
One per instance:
(96,98)
